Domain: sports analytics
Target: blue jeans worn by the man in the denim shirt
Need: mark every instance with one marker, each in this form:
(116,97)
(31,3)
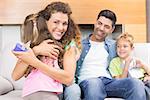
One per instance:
(102,87)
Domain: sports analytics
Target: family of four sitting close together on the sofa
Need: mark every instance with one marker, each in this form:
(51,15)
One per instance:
(47,64)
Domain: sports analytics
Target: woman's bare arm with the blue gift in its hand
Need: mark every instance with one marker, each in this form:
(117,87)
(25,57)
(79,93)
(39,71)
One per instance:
(64,76)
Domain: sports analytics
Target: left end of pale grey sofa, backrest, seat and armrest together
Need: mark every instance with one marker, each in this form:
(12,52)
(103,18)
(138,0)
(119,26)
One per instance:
(9,89)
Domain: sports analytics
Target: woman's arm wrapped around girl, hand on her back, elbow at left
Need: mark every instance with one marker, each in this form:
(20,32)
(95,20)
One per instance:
(44,48)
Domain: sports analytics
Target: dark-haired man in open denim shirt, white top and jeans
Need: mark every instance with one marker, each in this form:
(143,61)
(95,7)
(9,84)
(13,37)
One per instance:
(92,75)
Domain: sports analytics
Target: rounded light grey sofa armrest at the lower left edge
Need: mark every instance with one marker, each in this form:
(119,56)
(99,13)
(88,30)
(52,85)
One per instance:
(5,85)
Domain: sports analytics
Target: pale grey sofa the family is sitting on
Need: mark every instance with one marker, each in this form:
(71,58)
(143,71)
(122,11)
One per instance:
(11,90)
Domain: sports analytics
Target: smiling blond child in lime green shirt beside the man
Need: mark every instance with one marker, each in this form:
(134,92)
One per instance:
(127,66)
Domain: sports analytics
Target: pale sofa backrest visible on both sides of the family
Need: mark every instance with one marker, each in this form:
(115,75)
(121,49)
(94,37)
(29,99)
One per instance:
(8,60)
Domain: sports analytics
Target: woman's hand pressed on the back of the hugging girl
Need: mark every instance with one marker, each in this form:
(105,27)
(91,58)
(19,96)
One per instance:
(47,48)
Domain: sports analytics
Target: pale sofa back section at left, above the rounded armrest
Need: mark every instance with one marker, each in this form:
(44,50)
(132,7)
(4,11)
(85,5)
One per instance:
(8,64)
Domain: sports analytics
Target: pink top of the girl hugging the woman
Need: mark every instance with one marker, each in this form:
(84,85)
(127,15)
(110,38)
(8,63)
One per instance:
(38,81)
